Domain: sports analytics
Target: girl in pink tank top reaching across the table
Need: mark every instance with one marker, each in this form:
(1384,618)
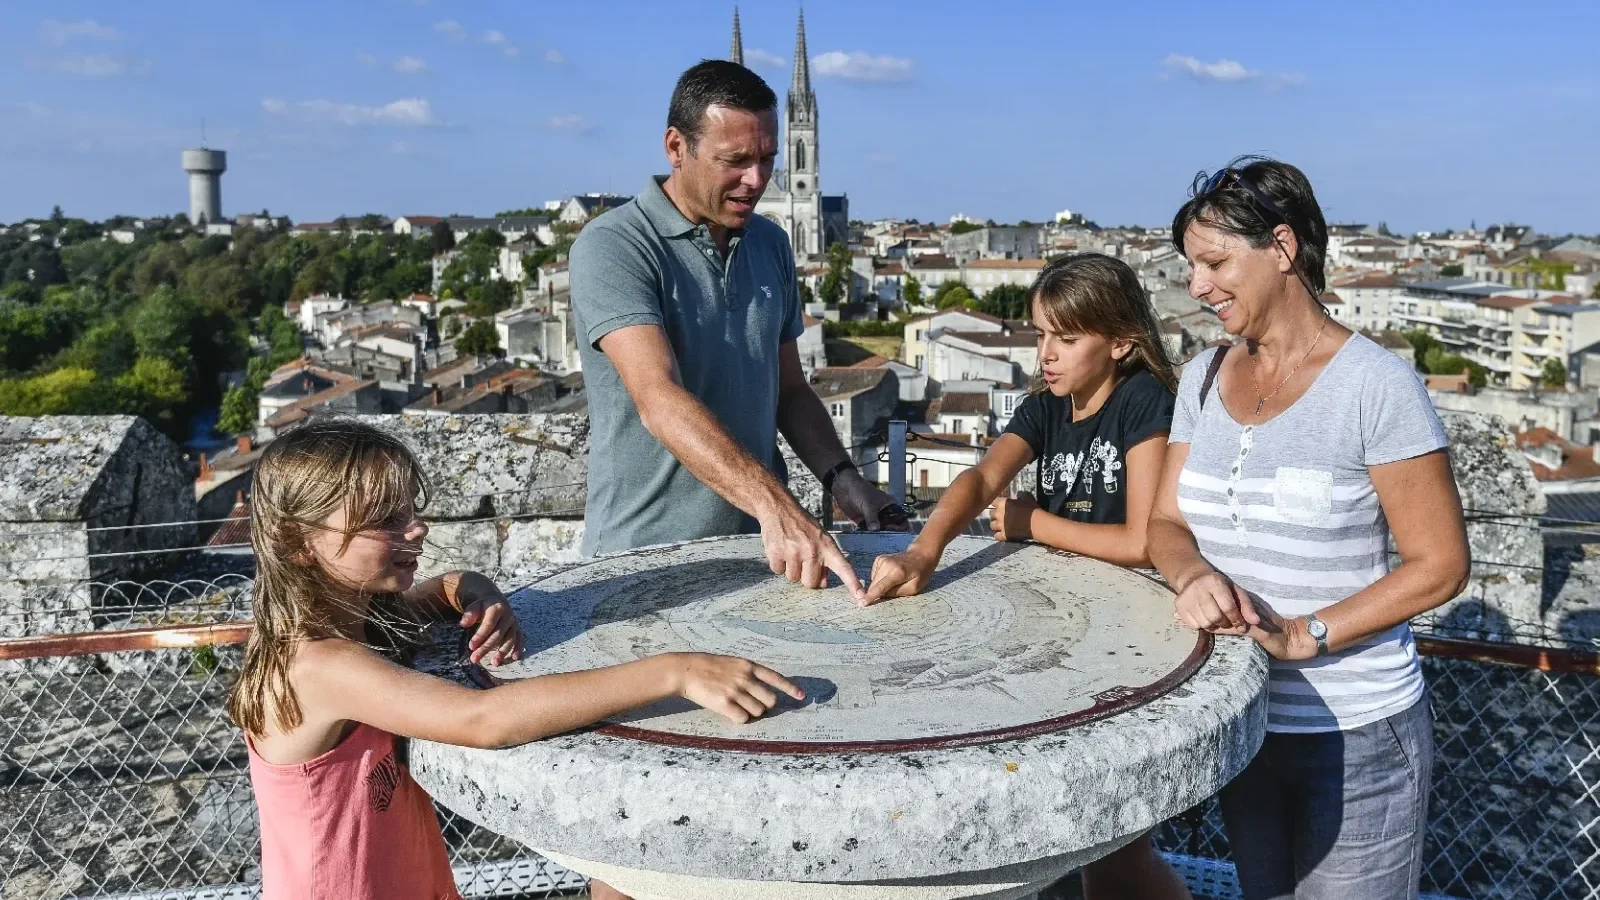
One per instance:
(337,536)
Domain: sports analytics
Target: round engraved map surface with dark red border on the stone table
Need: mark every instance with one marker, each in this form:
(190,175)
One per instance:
(1009,640)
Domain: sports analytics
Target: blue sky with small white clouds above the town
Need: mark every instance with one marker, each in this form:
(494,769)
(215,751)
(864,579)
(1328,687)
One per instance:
(1425,116)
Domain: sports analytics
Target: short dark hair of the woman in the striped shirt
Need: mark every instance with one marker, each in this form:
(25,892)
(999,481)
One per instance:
(1234,209)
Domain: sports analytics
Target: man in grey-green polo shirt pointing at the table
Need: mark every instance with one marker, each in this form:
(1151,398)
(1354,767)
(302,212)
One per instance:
(689,315)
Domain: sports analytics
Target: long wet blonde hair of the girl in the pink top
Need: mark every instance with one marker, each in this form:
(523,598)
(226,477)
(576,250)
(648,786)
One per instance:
(300,481)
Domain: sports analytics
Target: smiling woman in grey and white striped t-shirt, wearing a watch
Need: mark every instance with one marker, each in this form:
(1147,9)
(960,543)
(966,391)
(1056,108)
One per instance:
(1294,459)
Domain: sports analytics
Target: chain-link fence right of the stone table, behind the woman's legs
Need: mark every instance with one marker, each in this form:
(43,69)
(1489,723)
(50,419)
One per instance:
(1514,810)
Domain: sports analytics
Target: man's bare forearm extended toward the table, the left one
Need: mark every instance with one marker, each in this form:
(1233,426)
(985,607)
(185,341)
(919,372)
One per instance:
(697,440)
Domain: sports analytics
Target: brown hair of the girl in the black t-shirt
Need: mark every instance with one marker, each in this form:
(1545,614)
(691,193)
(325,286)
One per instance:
(1092,294)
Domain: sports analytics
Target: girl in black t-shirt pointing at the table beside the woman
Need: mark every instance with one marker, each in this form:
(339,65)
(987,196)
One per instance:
(1095,427)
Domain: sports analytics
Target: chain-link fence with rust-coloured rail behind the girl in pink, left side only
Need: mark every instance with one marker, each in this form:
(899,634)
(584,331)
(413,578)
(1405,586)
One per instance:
(121,774)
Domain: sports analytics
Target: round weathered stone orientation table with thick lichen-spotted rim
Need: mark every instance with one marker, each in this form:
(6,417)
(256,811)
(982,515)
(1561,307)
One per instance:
(1030,713)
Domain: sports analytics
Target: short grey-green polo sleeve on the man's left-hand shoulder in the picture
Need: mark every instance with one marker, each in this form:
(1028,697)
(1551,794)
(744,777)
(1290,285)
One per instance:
(614,284)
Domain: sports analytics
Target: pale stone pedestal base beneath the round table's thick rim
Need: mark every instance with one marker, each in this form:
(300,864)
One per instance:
(1007,883)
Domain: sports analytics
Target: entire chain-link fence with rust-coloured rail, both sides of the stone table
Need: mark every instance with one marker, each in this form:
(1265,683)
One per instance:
(121,774)
